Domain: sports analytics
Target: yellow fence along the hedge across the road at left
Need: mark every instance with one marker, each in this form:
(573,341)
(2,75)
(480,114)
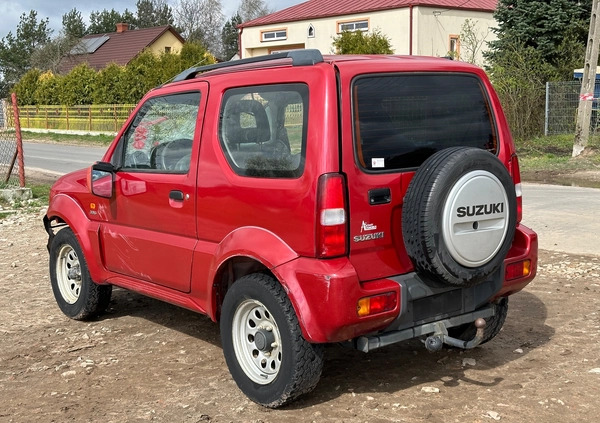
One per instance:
(91,118)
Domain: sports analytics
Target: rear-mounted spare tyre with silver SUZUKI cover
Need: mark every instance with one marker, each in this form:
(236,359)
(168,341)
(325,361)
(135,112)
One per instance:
(459,216)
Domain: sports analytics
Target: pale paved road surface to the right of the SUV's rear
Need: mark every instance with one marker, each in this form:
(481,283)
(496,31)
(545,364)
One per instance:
(565,218)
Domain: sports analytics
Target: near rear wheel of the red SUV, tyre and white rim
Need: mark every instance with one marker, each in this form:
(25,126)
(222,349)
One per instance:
(265,351)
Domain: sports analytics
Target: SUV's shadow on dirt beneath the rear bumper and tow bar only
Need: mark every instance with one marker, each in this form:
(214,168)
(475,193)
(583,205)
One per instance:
(408,365)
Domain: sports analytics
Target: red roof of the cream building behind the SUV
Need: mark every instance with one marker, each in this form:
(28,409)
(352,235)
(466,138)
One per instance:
(314,9)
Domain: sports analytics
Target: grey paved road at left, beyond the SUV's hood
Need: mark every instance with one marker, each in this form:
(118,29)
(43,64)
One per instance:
(58,158)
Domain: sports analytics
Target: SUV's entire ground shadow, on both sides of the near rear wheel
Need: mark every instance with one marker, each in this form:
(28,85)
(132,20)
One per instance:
(391,369)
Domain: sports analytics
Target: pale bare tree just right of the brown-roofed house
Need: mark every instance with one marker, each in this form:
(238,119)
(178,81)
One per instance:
(201,20)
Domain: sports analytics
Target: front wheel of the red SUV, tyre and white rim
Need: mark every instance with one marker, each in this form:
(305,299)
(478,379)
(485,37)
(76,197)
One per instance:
(76,294)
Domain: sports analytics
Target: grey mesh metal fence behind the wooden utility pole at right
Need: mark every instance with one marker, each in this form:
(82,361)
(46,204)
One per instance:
(562,100)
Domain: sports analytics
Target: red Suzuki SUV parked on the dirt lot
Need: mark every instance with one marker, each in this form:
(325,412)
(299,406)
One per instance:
(300,200)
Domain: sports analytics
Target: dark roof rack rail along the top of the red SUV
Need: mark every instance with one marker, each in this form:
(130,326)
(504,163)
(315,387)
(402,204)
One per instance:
(302,57)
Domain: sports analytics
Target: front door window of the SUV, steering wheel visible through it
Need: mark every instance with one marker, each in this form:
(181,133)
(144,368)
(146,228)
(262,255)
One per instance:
(160,137)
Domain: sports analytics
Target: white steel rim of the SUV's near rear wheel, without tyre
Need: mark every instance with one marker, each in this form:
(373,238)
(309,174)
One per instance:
(256,342)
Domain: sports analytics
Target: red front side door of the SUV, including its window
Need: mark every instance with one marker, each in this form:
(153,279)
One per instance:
(152,232)
